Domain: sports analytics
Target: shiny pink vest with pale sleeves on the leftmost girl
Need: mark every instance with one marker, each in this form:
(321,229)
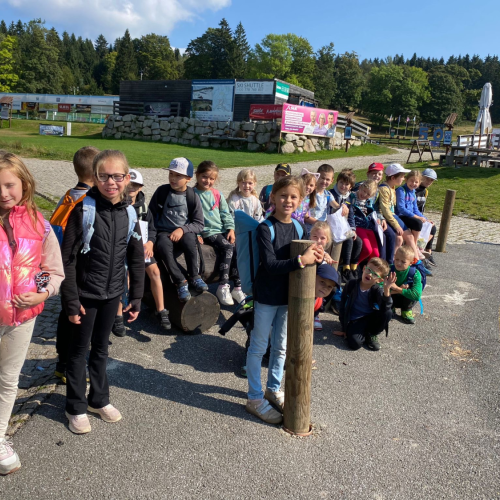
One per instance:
(34,251)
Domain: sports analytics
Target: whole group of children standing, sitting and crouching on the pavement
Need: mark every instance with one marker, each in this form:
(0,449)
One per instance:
(103,239)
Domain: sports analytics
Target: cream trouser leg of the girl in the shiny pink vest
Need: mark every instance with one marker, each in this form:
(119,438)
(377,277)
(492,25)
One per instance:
(14,343)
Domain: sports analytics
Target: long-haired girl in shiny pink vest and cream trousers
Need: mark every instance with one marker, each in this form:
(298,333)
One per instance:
(27,245)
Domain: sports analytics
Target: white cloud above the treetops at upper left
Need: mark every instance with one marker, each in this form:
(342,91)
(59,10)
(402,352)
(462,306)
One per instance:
(89,18)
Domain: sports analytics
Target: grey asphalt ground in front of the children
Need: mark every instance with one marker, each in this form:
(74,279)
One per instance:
(412,421)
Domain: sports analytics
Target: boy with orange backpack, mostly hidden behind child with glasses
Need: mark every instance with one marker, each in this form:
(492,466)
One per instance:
(82,164)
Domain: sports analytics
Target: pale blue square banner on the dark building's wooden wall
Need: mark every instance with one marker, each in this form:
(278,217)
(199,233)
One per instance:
(212,100)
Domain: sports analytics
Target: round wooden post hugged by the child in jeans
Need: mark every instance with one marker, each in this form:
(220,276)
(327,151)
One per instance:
(296,414)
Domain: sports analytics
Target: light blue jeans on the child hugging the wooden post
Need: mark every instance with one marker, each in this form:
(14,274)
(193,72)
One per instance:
(265,316)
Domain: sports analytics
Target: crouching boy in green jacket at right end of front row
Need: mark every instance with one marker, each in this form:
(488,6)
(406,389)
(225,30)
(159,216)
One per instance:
(405,293)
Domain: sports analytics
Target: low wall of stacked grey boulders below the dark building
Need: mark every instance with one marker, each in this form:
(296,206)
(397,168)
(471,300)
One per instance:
(248,136)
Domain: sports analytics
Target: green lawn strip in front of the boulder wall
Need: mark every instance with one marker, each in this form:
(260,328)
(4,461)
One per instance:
(23,139)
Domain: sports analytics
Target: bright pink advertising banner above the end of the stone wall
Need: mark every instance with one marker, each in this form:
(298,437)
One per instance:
(310,121)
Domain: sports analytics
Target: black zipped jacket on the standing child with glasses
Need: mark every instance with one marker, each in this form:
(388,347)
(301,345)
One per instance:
(100,273)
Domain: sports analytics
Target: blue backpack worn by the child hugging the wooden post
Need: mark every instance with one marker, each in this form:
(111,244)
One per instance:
(247,249)
